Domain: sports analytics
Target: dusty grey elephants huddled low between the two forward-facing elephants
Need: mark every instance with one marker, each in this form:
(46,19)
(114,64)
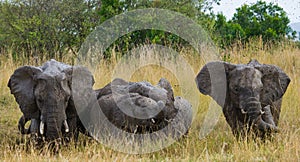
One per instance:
(139,107)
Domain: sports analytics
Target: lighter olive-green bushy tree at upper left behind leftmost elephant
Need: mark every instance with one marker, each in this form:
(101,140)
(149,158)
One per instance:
(46,28)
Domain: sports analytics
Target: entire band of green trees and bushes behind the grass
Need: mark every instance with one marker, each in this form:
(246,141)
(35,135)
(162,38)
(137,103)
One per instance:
(52,28)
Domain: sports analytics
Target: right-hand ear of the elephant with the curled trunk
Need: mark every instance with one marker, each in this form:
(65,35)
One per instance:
(275,82)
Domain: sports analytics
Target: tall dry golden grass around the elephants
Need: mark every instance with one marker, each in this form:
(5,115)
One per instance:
(219,145)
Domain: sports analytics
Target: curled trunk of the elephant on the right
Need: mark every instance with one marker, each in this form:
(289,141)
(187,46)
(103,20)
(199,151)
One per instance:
(259,117)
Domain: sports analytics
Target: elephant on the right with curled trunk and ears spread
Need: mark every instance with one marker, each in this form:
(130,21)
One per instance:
(250,94)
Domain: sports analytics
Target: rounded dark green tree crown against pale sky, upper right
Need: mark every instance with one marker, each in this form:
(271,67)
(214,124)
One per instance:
(261,19)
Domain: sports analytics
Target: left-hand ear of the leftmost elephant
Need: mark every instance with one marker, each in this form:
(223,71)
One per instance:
(21,85)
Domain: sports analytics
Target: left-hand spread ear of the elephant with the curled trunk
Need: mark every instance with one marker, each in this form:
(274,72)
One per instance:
(212,80)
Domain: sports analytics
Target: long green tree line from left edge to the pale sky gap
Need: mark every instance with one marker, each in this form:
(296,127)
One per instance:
(52,28)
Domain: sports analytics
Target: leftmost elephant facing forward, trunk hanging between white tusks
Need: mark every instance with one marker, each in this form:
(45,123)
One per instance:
(44,95)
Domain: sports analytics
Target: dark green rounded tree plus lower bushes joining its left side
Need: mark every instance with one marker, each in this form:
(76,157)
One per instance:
(260,19)
